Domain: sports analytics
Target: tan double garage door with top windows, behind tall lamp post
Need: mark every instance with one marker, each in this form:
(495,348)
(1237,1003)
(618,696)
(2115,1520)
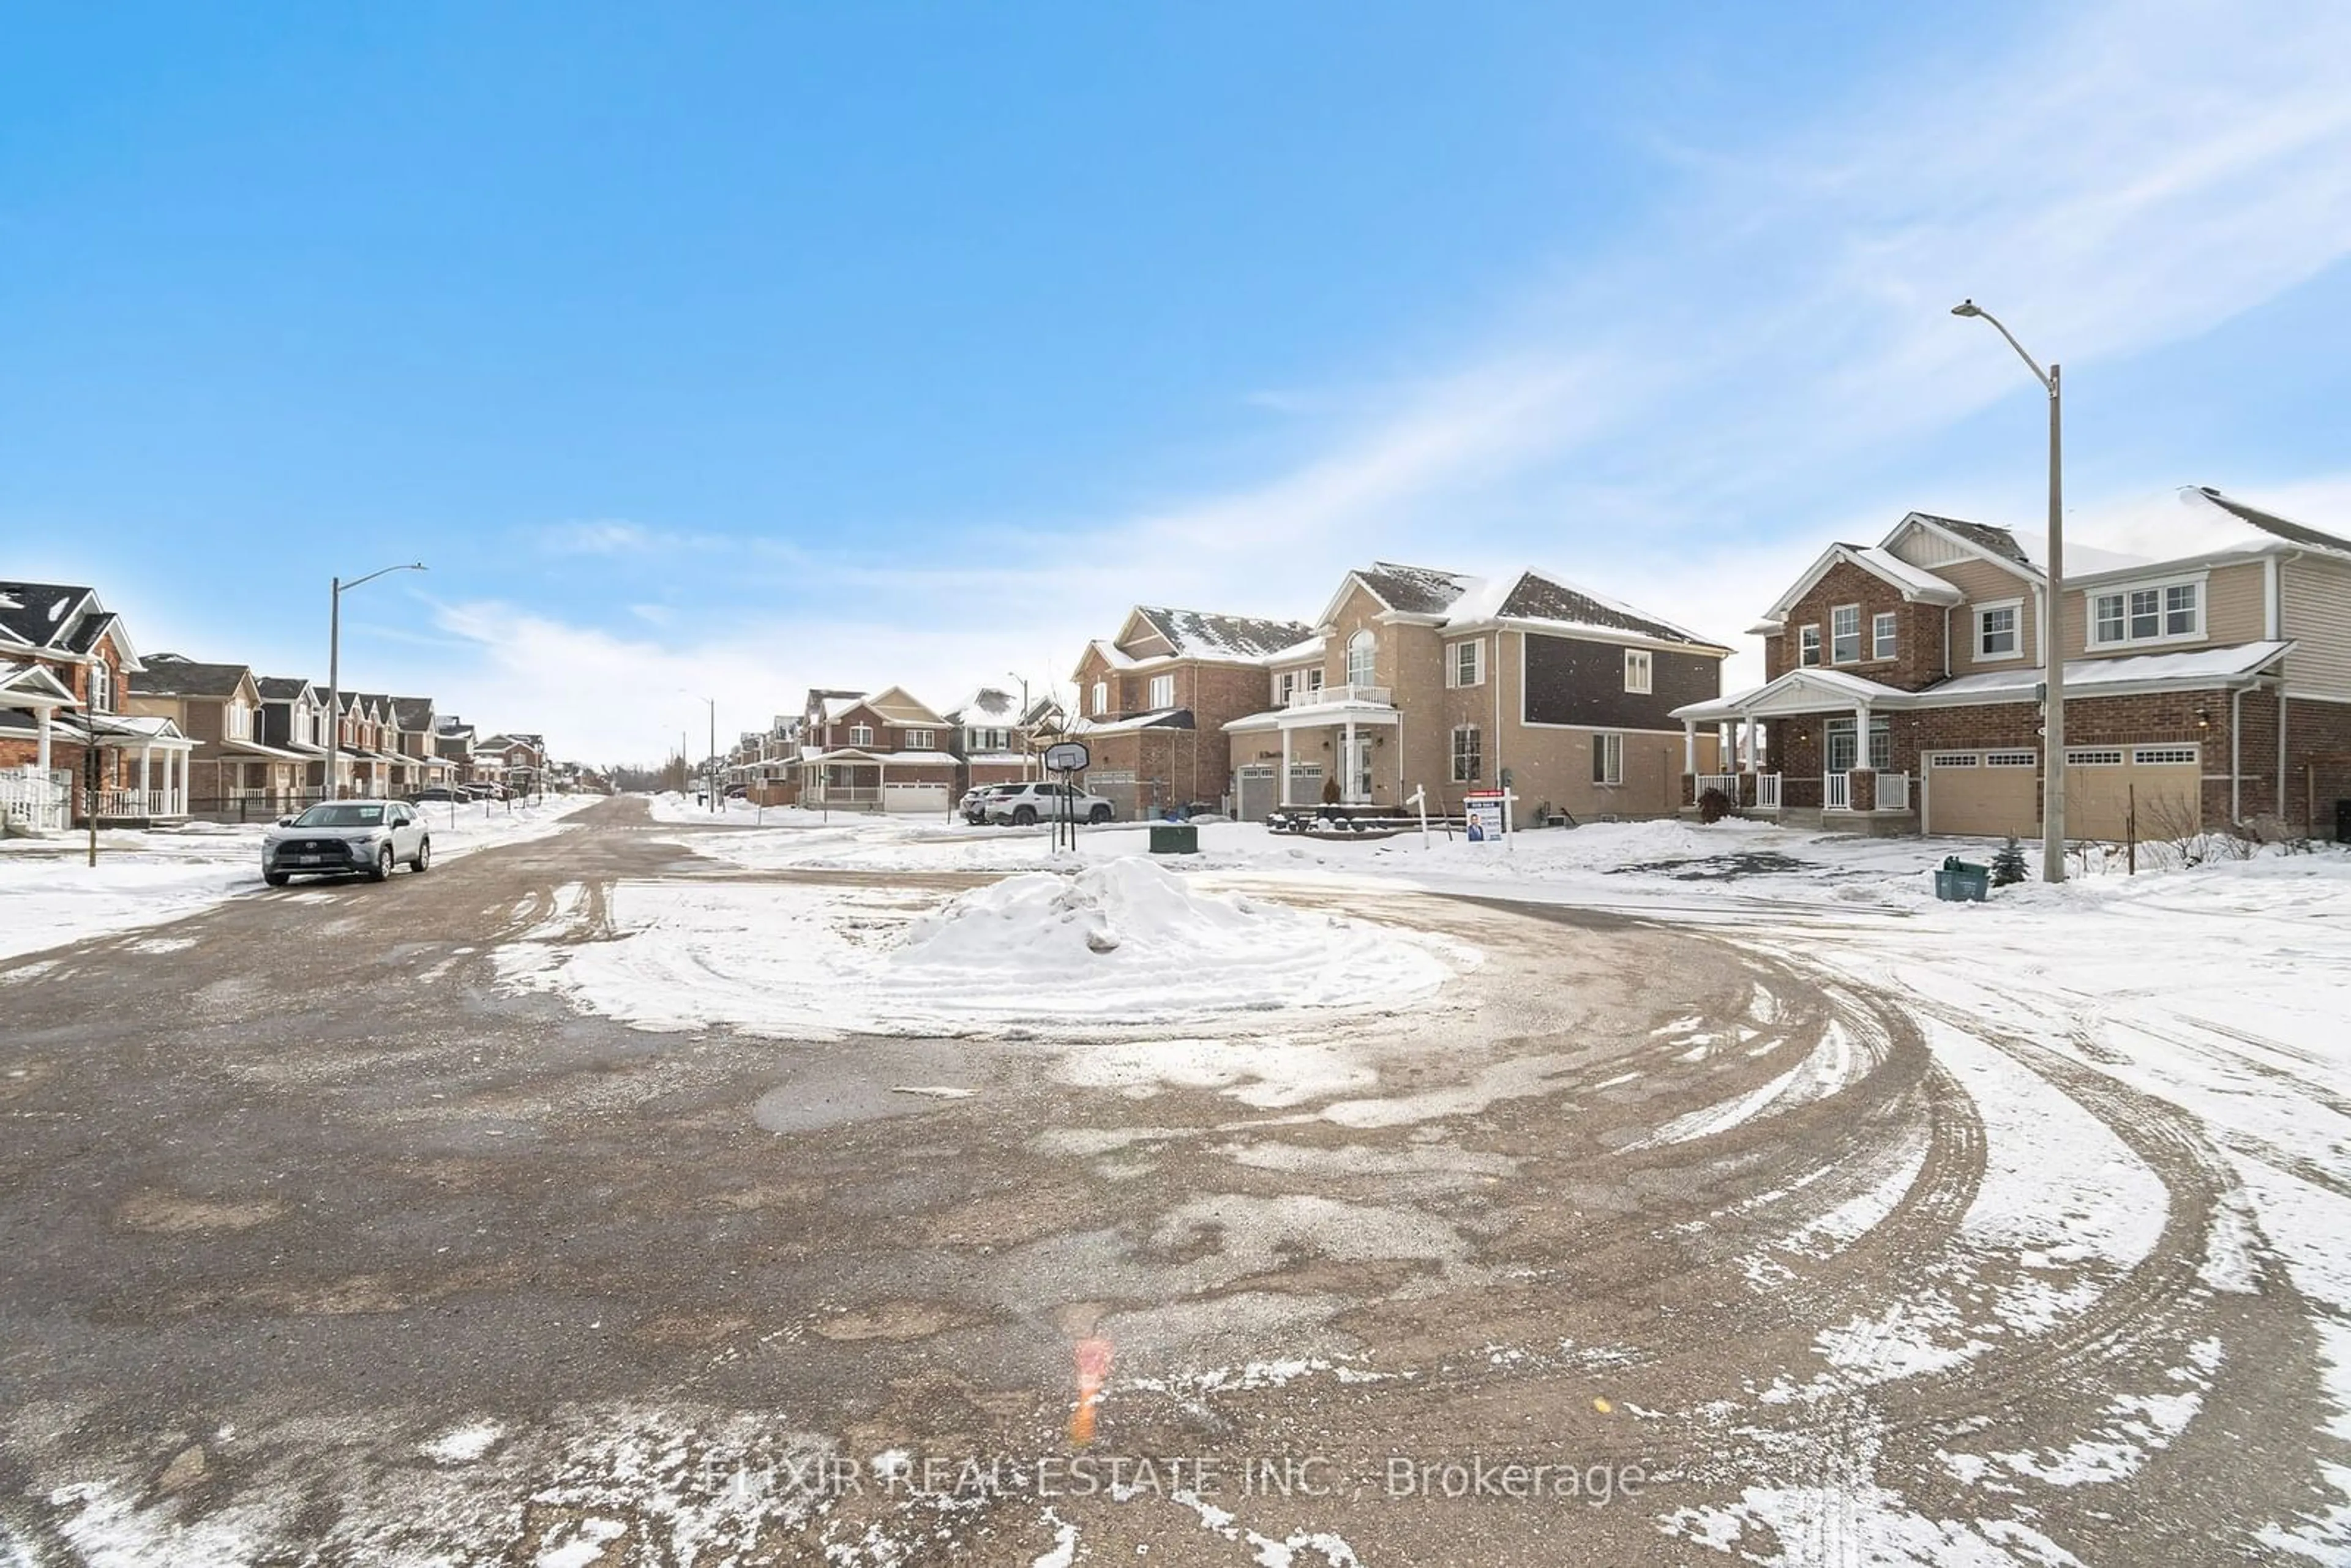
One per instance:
(2000,793)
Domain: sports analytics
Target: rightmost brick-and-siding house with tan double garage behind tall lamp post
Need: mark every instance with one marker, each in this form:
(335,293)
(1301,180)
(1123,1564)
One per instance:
(1905,685)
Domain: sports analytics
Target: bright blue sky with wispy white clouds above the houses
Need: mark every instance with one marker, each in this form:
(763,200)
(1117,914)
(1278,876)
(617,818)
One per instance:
(725,354)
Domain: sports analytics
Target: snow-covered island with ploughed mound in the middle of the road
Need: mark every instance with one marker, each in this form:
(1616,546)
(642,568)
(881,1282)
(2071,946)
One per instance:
(1111,946)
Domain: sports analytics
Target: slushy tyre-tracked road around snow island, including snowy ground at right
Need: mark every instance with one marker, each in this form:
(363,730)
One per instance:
(1757,1228)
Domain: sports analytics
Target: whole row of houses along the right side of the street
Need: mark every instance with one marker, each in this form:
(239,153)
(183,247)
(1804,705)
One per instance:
(1903,695)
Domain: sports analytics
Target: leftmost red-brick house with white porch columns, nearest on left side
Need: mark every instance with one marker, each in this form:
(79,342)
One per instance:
(67,742)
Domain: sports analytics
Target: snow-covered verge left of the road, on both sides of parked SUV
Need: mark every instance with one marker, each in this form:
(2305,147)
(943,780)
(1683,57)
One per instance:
(145,878)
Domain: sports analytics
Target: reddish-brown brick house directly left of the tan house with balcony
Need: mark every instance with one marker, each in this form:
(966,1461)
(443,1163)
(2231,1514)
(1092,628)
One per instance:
(1156,699)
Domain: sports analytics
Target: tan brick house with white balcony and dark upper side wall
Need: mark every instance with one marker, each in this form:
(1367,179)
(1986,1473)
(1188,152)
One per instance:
(1416,678)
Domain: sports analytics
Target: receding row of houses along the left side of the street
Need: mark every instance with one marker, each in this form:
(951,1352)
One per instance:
(95,728)
